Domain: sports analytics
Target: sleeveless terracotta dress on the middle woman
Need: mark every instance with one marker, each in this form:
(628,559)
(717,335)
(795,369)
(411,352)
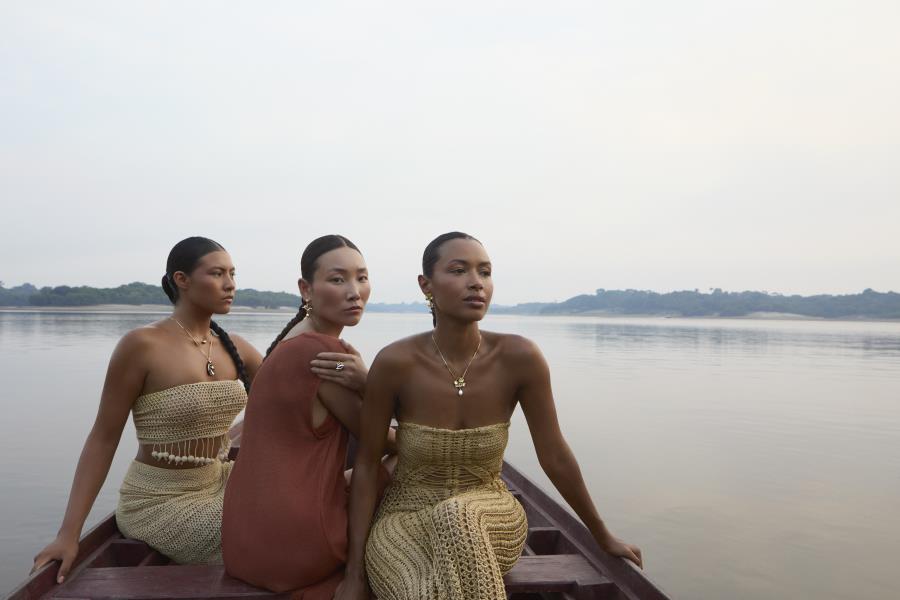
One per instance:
(284,525)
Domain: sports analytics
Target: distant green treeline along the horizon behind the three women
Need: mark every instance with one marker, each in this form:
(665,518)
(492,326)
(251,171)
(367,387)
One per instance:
(869,304)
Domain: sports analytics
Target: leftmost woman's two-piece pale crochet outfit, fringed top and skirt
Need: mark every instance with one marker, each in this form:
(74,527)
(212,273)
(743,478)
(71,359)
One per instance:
(179,511)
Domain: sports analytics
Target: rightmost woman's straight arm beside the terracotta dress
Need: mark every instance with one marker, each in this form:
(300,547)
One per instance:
(377,410)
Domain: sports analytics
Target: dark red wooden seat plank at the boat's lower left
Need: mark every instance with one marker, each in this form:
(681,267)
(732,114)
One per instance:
(176,582)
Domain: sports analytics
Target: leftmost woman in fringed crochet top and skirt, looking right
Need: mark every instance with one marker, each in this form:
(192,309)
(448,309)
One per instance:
(185,379)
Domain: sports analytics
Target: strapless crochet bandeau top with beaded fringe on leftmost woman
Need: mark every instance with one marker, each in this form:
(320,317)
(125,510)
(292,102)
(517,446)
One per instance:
(189,423)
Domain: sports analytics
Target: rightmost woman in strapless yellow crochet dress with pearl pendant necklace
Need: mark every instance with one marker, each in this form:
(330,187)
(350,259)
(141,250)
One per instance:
(448,528)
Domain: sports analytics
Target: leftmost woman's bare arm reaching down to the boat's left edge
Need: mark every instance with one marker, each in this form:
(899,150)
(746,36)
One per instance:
(124,381)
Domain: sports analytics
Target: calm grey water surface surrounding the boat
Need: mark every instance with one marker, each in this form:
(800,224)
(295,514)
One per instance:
(748,459)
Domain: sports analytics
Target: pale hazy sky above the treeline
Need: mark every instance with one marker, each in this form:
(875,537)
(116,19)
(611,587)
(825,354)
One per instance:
(654,145)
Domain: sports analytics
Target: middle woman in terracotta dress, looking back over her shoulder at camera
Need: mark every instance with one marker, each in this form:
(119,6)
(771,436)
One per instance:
(284,526)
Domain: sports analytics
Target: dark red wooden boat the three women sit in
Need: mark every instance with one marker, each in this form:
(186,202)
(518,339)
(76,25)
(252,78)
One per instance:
(561,561)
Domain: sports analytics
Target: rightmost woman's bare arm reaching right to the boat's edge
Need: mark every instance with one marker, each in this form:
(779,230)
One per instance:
(555,456)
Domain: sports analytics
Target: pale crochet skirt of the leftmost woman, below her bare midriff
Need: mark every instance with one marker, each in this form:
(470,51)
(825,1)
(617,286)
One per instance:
(175,511)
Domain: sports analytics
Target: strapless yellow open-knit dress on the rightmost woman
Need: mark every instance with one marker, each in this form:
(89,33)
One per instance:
(448,527)
